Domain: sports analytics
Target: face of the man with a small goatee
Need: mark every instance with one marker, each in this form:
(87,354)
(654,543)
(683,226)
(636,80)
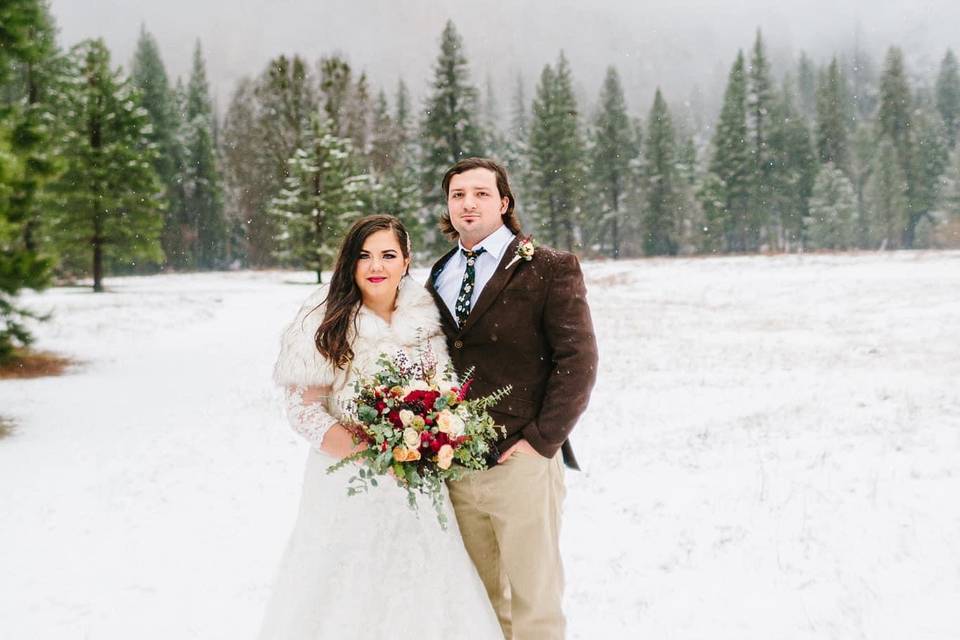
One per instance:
(475,205)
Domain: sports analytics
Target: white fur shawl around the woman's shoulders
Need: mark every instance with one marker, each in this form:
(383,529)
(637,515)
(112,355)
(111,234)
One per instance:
(415,323)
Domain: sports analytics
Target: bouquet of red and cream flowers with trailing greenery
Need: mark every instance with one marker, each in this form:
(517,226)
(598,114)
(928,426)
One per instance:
(418,425)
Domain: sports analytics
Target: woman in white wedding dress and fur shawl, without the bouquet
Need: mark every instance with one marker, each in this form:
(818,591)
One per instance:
(364,566)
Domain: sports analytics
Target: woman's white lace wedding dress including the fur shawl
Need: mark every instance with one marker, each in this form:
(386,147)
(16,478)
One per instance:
(367,566)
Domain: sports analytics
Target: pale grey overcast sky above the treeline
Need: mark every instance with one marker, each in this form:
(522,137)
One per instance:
(672,43)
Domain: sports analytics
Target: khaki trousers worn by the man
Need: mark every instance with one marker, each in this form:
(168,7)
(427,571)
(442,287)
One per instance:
(509,517)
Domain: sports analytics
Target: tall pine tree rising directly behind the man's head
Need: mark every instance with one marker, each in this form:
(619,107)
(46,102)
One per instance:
(448,130)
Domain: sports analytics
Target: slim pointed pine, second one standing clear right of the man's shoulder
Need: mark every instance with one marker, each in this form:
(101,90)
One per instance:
(660,182)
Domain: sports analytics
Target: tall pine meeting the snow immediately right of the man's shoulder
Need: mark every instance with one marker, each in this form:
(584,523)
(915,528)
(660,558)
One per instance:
(610,157)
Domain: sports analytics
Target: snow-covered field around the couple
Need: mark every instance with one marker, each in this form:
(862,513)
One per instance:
(772,451)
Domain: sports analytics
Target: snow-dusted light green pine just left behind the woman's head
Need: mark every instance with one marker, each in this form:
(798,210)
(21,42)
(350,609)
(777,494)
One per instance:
(321,197)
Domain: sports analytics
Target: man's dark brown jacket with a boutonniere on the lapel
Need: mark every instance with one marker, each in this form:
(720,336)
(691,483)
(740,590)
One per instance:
(531,329)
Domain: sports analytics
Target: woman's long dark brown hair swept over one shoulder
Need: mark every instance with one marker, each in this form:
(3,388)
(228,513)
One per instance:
(343,297)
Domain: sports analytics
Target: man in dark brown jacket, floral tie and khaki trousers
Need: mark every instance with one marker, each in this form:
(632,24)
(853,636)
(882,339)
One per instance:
(518,314)
